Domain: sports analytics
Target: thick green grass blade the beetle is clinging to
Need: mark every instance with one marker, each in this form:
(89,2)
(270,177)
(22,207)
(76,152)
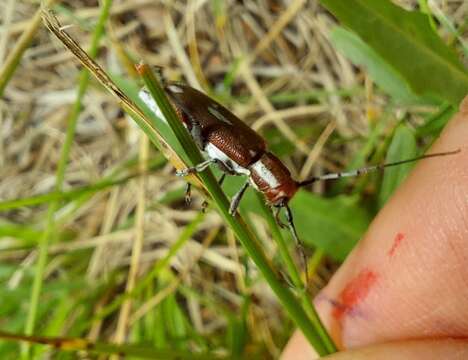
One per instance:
(312,328)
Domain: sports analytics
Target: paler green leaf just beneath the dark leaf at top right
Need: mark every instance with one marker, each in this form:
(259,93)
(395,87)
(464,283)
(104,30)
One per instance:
(382,73)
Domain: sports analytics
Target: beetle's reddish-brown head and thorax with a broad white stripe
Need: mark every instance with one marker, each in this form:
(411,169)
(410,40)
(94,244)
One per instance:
(273,179)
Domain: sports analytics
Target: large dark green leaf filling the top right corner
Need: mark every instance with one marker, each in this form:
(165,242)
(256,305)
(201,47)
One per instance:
(407,42)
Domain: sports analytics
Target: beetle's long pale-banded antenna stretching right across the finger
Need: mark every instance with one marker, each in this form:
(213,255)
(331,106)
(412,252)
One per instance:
(367,169)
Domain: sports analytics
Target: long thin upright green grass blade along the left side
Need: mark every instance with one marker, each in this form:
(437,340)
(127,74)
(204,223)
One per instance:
(60,175)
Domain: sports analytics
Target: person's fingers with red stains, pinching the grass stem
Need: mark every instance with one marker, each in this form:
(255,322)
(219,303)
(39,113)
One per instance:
(416,250)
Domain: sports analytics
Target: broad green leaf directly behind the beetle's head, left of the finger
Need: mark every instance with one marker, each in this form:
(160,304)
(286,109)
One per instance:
(331,224)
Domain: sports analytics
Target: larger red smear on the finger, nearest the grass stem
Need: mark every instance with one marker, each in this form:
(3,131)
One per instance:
(356,291)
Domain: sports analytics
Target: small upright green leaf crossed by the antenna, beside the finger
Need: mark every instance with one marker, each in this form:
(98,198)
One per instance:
(403,146)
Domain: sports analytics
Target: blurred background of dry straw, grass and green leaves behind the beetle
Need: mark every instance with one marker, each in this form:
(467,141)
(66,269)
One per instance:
(331,85)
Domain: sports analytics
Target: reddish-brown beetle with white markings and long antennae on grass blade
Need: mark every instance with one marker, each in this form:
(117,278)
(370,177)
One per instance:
(237,149)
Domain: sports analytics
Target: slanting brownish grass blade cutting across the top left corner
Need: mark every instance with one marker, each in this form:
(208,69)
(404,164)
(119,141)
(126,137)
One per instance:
(14,57)
